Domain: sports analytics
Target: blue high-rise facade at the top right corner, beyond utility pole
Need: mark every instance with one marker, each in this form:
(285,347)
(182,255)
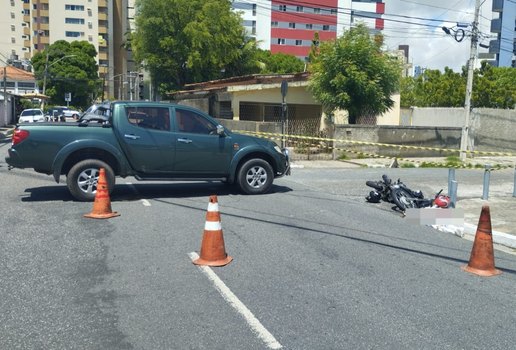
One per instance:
(504,27)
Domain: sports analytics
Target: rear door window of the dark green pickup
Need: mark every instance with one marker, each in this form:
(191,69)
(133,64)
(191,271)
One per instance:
(156,118)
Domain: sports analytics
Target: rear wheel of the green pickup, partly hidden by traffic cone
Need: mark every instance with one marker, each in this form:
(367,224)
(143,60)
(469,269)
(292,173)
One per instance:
(83,177)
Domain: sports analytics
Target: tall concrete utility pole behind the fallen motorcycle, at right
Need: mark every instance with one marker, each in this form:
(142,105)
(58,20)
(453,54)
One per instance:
(469,84)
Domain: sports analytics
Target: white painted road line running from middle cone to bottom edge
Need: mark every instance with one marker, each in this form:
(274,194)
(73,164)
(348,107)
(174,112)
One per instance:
(231,298)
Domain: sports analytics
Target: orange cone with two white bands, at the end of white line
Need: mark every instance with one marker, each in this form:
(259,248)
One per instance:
(213,252)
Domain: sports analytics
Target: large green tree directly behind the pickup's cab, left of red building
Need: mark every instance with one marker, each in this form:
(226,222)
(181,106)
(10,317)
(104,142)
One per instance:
(184,41)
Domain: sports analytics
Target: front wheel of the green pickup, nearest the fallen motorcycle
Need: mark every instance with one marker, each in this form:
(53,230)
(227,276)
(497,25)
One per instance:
(255,176)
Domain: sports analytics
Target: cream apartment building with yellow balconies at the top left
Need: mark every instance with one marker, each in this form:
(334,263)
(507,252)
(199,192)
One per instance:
(34,24)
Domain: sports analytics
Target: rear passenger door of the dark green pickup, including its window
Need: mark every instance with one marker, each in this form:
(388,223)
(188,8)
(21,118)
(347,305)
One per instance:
(146,138)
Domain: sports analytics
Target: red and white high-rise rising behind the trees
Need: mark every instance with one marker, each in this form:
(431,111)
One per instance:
(289,26)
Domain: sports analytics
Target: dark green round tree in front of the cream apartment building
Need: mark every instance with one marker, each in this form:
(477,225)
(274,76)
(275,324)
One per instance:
(71,67)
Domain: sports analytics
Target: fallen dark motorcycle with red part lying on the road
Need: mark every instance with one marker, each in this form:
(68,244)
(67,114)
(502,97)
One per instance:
(398,193)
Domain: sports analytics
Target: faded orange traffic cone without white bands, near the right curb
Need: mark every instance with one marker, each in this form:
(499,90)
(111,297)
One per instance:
(481,261)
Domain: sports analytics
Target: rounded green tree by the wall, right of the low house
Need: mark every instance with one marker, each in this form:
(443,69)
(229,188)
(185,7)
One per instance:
(352,73)
